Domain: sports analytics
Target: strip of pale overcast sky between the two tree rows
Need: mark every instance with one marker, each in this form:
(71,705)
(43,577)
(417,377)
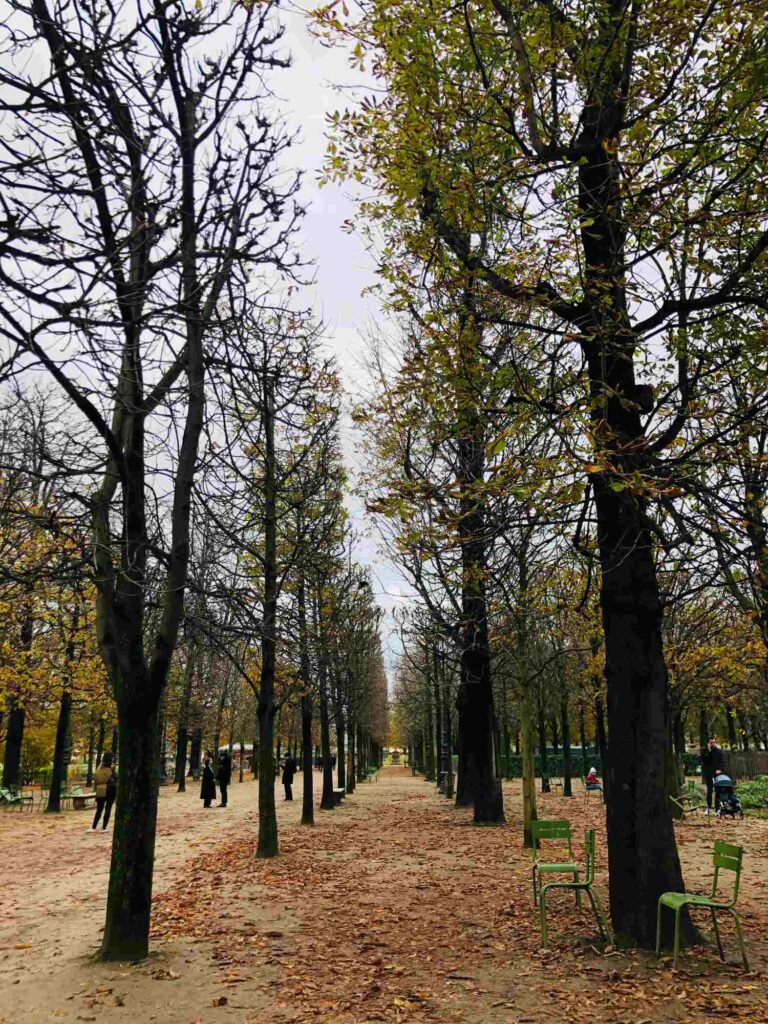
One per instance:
(344,269)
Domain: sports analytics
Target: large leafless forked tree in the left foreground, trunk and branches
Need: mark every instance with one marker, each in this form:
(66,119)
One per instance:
(140,180)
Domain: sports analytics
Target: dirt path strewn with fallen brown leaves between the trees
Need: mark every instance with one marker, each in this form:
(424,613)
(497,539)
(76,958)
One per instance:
(394,909)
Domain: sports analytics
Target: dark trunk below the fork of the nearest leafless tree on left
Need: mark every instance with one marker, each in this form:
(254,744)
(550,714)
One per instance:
(126,935)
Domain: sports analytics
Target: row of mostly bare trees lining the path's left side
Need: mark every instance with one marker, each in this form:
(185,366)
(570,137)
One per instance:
(192,489)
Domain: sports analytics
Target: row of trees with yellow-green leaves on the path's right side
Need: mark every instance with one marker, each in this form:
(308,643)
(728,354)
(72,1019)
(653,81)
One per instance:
(572,199)
